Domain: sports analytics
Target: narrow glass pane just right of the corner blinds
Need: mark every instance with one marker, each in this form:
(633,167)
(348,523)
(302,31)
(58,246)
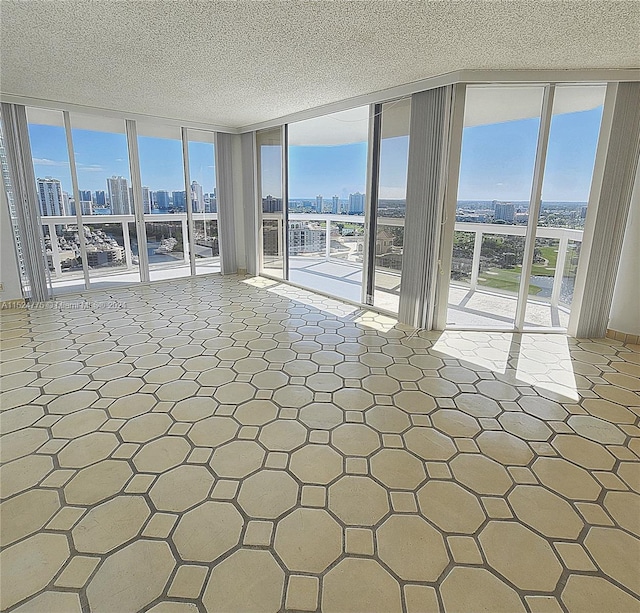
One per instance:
(269,144)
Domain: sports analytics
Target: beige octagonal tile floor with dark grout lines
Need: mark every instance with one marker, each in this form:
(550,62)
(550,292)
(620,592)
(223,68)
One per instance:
(227,444)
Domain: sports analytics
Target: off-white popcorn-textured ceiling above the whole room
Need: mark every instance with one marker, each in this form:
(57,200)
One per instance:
(238,63)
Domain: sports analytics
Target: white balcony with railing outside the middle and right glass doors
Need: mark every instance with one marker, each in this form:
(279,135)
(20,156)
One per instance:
(481,294)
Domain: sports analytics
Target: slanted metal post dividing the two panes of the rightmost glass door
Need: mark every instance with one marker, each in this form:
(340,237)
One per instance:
(534,205)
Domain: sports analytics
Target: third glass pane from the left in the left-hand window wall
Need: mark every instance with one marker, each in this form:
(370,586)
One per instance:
(161,171)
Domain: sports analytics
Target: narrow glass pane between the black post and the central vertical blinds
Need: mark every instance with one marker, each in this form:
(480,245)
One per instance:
(392,194)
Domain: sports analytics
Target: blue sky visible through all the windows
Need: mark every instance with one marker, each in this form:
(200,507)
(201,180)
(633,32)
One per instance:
(497,162)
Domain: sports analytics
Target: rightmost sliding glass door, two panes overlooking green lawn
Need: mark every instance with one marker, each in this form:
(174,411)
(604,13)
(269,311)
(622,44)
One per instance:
(525,172)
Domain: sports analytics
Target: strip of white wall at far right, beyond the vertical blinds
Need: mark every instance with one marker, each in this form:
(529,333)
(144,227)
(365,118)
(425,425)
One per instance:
(625,309)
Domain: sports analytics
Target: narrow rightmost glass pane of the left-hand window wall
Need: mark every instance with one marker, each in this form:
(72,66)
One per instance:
(202,173)
